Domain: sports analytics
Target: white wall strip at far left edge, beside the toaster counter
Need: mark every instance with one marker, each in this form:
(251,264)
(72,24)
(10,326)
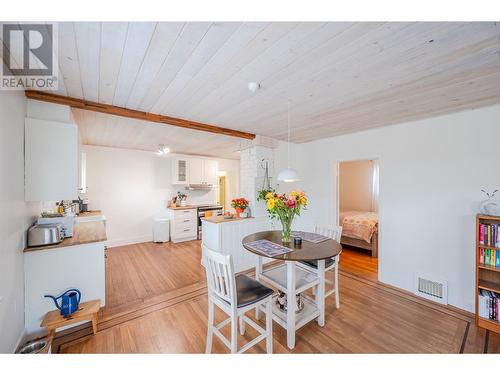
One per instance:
(16,217)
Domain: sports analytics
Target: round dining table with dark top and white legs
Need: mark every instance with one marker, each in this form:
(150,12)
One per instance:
(292,279)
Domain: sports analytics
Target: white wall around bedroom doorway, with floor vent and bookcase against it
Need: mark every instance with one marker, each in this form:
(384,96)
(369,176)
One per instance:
(431,175)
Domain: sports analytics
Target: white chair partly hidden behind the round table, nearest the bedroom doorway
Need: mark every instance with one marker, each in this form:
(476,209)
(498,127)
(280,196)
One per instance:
(335,233)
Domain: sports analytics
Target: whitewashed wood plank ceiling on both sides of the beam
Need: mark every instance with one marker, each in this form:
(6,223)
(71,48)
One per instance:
(339,77)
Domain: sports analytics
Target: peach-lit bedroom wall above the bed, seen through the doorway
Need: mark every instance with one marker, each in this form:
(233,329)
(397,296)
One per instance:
(356,185)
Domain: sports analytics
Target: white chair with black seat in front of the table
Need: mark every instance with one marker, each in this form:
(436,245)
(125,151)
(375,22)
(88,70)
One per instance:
(235,295)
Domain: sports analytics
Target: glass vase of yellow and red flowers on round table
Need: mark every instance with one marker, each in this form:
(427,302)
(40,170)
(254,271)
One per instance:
(285,207)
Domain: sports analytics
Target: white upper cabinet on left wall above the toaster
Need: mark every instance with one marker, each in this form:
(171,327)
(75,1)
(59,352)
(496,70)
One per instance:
(51,160)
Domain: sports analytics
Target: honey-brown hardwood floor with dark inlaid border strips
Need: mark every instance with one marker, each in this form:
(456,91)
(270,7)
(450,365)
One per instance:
(169,313)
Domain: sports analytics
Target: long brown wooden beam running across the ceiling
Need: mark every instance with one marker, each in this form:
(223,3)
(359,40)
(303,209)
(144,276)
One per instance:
(131,113)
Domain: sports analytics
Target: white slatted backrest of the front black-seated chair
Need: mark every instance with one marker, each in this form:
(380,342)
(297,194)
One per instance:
(220,275)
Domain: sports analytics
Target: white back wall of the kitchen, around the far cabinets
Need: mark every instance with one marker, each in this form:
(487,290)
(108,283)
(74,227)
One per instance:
(133,187)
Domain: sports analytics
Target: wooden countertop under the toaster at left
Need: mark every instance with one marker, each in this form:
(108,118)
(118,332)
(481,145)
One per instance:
(83,233)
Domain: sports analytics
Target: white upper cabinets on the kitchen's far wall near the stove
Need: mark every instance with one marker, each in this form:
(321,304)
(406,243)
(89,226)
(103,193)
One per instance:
(194,171)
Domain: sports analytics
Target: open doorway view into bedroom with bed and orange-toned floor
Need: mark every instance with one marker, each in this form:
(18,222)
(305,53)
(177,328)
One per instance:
(357,202)
